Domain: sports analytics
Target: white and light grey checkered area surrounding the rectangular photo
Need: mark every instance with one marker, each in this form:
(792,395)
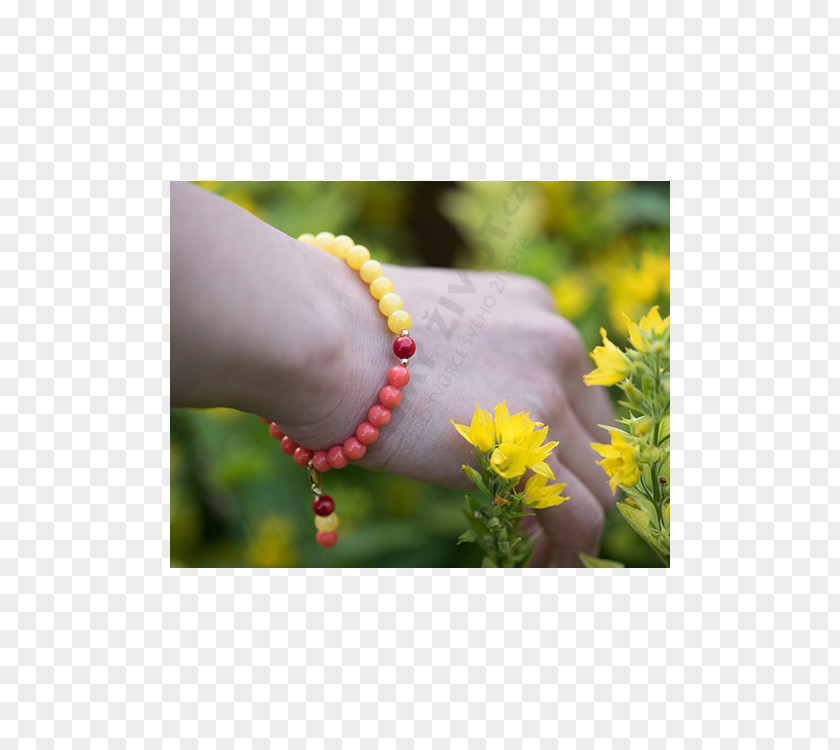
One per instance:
(104,646)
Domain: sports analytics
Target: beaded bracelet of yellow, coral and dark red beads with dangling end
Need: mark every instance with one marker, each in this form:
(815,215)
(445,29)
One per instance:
(338,456)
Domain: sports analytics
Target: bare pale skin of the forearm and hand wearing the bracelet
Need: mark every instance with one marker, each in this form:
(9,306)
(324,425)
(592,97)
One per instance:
(268,325)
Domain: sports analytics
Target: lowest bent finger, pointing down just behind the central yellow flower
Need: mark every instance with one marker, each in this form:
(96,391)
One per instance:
(575,525)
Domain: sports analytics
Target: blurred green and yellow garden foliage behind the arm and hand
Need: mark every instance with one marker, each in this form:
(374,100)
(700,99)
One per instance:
(602,247)
